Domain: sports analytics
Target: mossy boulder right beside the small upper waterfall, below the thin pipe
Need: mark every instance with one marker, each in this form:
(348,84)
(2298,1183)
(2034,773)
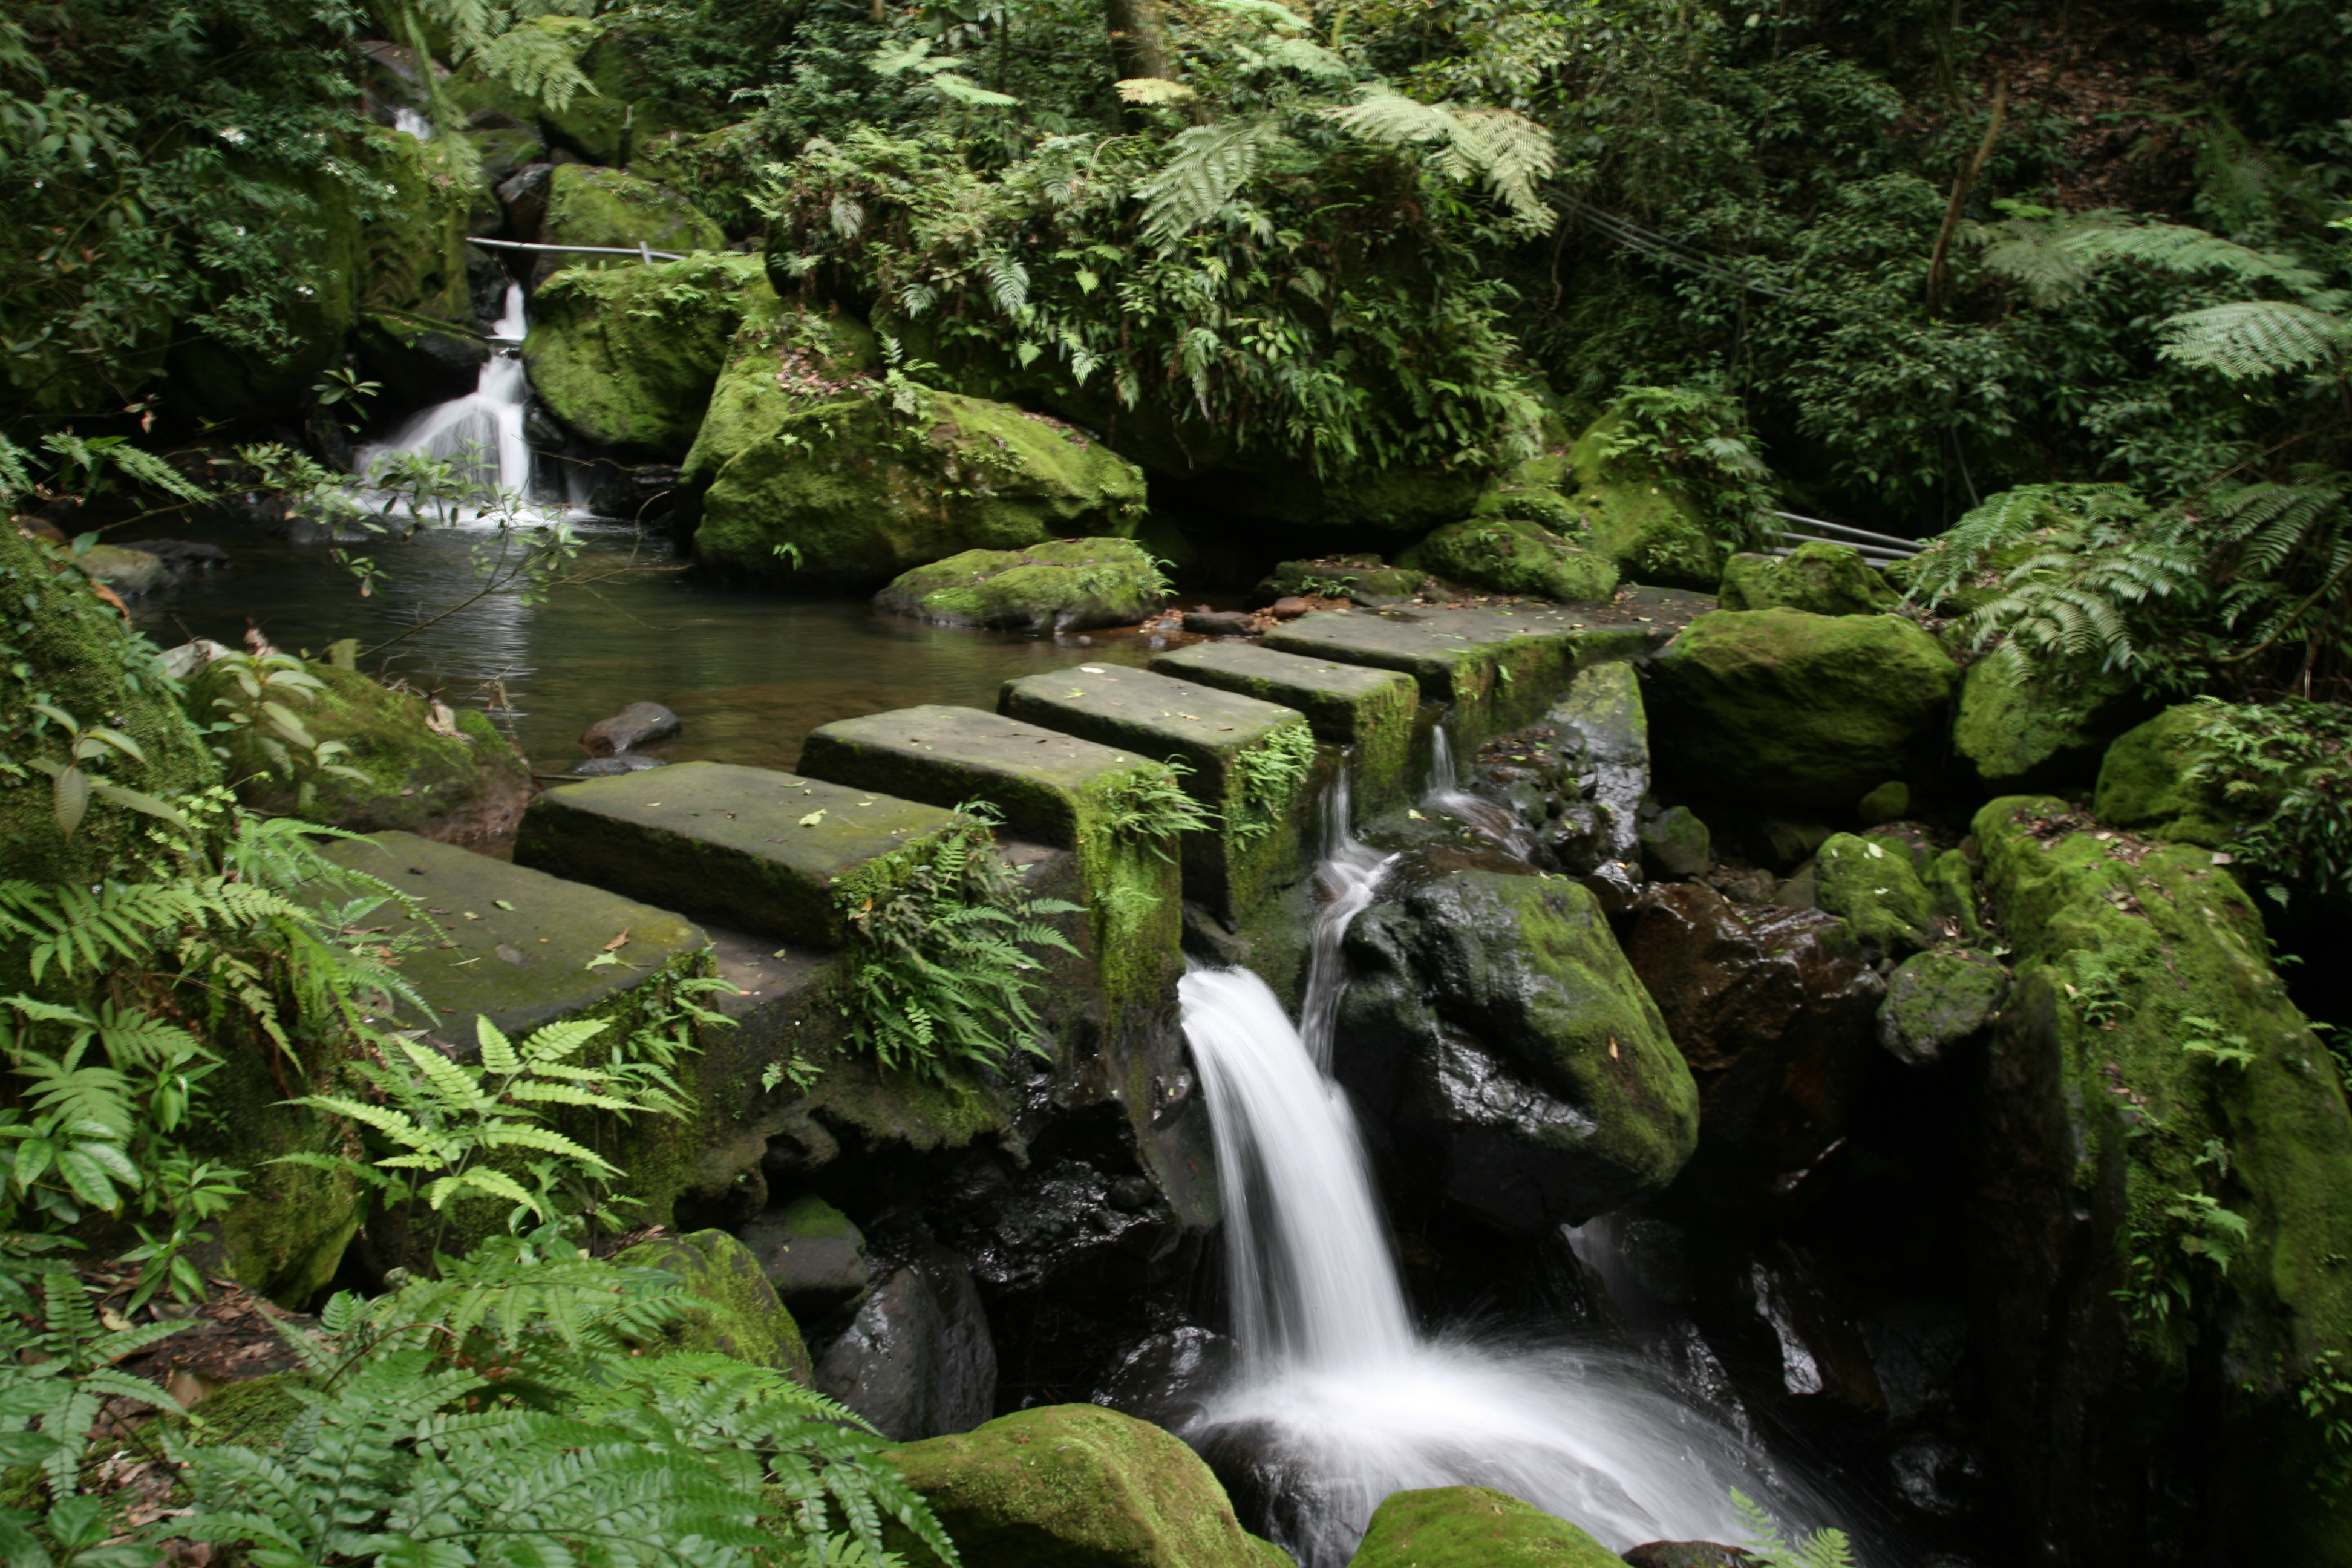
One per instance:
(629,356)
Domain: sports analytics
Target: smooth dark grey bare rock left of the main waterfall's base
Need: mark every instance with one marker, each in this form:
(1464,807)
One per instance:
(916,1360)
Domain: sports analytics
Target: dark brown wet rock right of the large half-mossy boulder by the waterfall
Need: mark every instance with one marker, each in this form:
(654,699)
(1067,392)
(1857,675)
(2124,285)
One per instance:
(1777,1014)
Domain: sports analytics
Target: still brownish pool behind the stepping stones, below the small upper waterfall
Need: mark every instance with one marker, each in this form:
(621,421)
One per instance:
(749,671)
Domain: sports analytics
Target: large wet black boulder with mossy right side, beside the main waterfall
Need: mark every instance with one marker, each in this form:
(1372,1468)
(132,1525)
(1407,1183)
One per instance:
(1499,1033)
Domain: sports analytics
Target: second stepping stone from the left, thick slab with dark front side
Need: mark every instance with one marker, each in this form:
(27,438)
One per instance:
(744,847)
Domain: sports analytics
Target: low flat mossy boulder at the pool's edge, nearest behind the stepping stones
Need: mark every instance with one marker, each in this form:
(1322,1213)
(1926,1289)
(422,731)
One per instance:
(1060,587)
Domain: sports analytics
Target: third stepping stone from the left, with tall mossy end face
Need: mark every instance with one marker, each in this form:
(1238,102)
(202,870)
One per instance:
(1053,789)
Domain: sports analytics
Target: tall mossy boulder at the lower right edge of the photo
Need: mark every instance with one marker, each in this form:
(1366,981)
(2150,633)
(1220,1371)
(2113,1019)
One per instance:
(2165,1198)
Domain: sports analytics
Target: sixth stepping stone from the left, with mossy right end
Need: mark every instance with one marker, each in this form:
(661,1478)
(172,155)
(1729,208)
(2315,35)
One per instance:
(1495,671)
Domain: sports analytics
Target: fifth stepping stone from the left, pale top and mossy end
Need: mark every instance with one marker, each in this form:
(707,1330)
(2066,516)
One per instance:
(1356,706)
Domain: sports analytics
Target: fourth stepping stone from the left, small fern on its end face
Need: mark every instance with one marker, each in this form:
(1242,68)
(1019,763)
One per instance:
(1220,735)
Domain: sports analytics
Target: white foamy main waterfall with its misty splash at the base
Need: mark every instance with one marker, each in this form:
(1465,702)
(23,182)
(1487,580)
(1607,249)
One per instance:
(1342,1405)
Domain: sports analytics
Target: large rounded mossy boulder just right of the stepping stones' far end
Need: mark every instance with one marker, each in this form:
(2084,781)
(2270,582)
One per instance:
(1796,709)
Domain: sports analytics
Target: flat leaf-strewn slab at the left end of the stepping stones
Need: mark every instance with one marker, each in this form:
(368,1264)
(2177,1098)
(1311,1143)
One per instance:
(523,956)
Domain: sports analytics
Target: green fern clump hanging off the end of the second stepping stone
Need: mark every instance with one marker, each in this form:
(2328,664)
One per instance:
(937,965)
